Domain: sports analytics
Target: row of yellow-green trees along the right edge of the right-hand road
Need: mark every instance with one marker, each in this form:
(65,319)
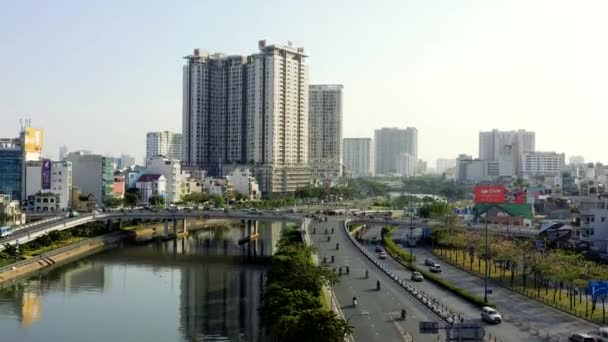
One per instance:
(520,264)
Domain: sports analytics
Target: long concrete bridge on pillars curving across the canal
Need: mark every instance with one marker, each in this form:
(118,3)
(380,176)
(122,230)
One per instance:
(32,231)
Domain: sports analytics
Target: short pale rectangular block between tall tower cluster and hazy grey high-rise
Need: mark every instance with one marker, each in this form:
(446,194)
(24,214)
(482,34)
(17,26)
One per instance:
(358,157)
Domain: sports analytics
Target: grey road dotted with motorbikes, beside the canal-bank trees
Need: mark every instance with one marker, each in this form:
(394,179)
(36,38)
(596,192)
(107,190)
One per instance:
(374,316)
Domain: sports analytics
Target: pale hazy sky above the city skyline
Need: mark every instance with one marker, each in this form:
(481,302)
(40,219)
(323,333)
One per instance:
(99,74)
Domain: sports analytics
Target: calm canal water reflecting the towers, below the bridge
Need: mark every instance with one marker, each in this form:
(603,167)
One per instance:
(205,287)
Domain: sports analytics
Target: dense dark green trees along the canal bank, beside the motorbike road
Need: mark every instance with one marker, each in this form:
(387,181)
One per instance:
(292,310)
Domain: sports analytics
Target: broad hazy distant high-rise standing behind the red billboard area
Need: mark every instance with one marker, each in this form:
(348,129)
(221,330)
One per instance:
(506,147)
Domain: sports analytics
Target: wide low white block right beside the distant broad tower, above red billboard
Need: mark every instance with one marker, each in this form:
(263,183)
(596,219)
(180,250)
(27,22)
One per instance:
(542,164)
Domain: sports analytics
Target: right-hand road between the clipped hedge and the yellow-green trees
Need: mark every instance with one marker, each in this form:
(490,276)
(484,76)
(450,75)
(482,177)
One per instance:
(529,317)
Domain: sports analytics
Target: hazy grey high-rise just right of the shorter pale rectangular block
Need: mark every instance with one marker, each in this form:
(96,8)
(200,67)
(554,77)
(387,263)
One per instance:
(390,143)
